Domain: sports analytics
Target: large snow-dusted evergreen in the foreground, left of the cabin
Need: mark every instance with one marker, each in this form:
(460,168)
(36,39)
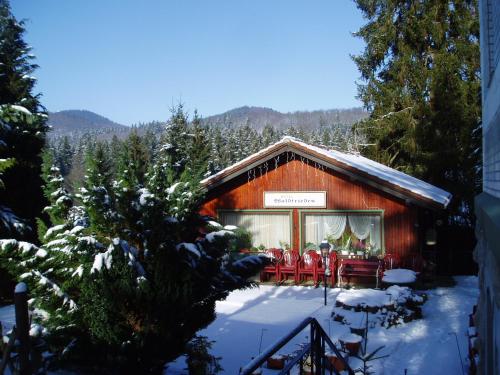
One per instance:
(128,284)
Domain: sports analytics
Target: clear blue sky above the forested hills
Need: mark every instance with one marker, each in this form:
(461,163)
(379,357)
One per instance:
(131,60)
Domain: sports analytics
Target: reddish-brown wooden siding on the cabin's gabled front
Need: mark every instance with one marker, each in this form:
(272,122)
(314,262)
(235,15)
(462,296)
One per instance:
(343,193)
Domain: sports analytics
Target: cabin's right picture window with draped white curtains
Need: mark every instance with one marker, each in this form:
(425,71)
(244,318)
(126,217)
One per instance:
(345,230)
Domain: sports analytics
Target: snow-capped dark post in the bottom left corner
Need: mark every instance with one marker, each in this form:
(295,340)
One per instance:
(23,327)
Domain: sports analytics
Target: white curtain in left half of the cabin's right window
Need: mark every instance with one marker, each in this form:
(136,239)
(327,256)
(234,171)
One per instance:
(318,227)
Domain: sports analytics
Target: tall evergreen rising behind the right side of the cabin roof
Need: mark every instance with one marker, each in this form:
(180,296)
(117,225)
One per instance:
(420,70)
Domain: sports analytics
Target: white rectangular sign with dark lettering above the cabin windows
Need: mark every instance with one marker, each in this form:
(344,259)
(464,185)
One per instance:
(295,199)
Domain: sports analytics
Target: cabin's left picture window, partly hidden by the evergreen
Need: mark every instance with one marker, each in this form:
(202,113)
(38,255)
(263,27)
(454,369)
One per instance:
(268,230)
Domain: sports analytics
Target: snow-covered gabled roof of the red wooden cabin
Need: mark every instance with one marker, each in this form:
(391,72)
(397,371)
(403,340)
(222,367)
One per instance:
(354,165)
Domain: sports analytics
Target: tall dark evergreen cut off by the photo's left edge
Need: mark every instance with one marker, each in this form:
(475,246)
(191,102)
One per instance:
(23,123)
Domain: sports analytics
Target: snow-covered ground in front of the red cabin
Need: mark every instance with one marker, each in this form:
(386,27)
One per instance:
(426,346)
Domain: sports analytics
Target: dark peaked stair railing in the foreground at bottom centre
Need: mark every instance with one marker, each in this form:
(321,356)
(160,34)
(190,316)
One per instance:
(313,350)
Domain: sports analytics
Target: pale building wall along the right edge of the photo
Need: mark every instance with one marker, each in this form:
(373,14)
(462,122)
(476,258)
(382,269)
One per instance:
(487,253)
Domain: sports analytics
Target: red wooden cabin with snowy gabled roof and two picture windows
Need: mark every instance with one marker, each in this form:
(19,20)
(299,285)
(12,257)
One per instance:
(294,194)
